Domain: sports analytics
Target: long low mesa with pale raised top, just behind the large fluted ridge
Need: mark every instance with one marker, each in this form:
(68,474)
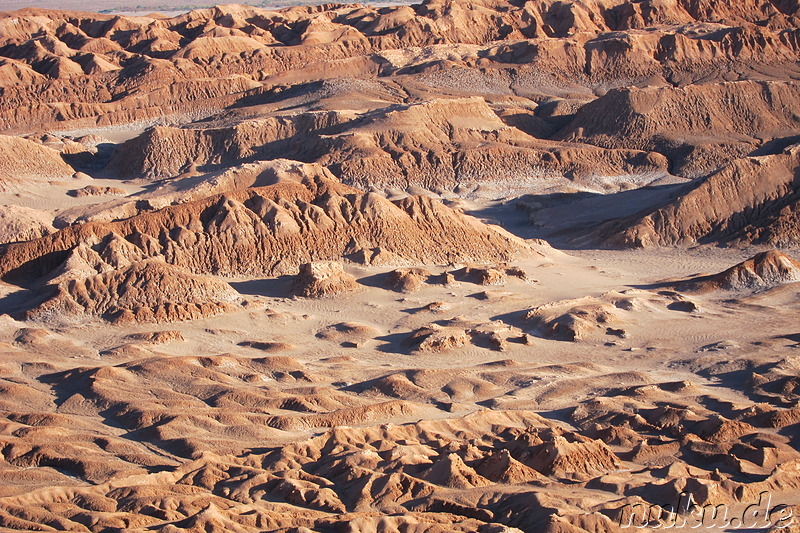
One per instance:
(435,144)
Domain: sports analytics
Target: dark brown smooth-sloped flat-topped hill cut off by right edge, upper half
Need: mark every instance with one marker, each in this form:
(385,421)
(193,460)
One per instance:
(691,125)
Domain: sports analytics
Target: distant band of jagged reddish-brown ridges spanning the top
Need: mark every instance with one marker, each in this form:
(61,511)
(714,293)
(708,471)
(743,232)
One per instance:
(215,56)
